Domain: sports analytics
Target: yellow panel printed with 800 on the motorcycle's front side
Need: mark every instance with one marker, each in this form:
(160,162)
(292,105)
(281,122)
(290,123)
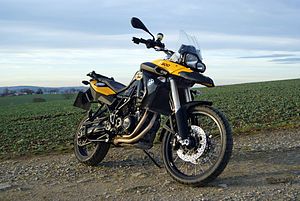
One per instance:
(171,67)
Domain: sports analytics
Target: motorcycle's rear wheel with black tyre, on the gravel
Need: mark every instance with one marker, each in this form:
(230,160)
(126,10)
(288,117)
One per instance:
(89,153)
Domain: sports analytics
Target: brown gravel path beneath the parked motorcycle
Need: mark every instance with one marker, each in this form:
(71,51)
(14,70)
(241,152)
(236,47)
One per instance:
(264,166)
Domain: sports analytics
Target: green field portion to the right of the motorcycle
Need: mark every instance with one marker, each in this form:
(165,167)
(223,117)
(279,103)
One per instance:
(258,106)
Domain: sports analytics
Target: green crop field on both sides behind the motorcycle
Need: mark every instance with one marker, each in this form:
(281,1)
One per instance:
(50,125)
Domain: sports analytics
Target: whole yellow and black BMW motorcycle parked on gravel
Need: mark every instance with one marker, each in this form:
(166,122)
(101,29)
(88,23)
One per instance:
(196,139)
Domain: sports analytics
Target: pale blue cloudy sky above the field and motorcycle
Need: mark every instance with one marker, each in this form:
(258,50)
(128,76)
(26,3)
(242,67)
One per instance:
(56,43)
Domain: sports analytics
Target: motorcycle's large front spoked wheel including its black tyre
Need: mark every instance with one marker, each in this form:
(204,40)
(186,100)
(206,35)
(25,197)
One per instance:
(208,153)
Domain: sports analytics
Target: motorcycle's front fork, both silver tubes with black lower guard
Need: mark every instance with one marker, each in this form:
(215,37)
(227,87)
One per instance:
(180,113)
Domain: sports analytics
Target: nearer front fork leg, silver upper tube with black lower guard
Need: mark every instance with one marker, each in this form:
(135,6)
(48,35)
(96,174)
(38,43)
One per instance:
(180,114)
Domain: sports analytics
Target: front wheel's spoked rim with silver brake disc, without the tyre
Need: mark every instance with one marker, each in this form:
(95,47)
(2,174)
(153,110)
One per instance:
(202,158)
